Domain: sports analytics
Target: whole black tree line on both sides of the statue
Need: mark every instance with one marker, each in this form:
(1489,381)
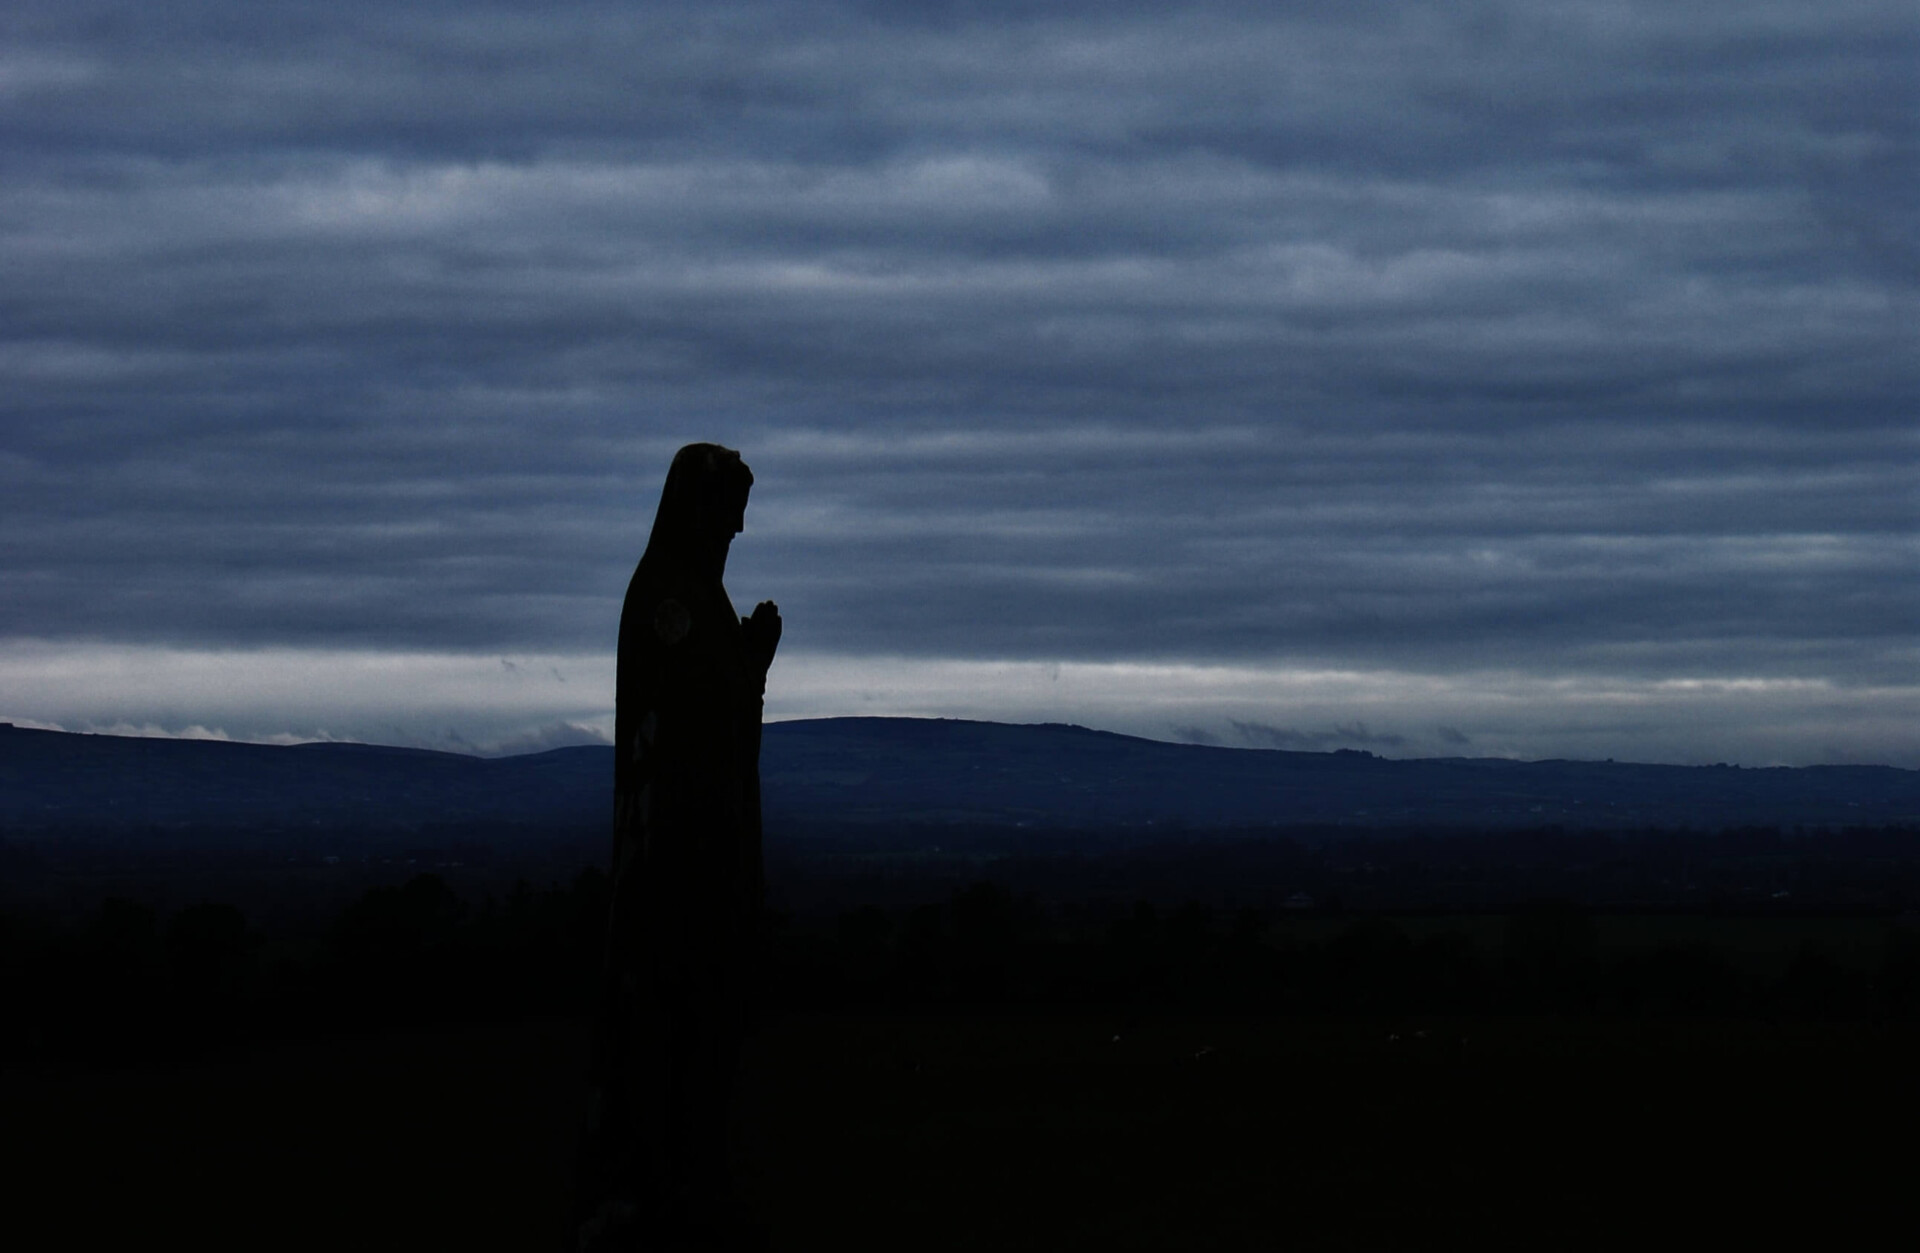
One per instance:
(133,987)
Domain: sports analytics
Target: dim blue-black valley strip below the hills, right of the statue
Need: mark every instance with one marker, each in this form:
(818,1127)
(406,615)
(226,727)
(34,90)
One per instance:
(1368,870)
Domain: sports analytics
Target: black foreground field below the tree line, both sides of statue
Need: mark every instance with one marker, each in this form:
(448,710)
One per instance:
(1017,1131)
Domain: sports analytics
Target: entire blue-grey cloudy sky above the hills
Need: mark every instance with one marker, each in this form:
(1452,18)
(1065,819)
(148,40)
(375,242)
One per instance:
(1479,379)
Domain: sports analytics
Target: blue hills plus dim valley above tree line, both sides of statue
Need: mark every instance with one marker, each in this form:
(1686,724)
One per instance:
(873,811)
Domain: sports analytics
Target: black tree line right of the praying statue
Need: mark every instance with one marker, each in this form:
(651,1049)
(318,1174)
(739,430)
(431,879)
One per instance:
(990,947)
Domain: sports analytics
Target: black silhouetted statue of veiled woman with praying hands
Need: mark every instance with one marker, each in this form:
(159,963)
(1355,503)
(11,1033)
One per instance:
(683,939)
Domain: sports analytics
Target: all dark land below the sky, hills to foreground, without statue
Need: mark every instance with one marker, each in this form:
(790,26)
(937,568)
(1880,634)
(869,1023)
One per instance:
(1216,989)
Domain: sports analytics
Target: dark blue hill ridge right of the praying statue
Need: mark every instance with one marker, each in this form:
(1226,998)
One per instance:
(875,770)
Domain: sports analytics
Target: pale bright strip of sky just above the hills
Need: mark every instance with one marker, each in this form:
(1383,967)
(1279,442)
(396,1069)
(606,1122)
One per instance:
(527,703)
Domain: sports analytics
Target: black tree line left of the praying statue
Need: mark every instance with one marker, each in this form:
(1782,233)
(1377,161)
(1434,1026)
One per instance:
(132,987)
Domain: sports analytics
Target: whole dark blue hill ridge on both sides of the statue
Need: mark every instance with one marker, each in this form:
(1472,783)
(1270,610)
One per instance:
(915,772)
